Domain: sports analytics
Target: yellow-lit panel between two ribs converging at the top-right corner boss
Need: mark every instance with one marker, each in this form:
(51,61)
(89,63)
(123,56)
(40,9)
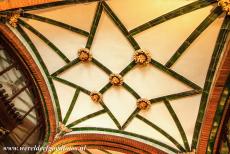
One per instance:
(163,40)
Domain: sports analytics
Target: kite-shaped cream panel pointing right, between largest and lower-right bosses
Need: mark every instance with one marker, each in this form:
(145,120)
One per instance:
(149,82)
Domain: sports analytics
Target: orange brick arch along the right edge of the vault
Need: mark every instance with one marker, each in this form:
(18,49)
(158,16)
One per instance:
(219,83)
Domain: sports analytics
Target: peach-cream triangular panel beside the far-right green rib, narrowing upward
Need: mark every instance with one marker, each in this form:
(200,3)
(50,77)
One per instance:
(195,61)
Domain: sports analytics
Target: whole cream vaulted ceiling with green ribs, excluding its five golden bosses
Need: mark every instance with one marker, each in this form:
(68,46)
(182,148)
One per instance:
(184,38)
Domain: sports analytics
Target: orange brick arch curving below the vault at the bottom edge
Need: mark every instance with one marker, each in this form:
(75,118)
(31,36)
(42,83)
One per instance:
(107,142)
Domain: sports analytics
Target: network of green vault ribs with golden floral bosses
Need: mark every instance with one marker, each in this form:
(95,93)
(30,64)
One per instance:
(117,80)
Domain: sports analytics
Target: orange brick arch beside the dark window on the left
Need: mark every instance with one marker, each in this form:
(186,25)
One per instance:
(40,83)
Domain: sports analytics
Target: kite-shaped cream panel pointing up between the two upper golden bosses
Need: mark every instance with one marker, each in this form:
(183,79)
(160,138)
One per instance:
(111,47)
